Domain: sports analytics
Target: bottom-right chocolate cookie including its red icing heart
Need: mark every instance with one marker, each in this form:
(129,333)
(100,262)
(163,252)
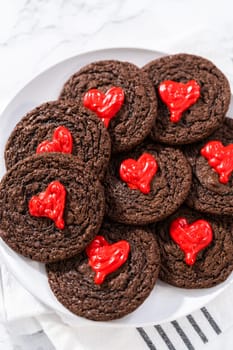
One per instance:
(202,266)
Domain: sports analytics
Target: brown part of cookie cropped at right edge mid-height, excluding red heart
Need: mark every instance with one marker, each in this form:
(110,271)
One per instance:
(207,193)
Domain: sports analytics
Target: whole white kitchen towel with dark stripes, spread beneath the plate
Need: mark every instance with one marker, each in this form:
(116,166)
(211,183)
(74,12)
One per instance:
(210,327)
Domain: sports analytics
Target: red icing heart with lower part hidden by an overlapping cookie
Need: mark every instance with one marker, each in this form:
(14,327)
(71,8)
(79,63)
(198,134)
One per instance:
(61,142)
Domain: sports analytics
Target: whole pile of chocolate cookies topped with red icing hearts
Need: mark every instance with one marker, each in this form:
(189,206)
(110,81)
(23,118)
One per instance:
(126,178)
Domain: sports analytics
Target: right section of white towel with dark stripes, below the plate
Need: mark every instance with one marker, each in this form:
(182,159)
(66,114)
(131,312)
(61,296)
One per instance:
(207,328)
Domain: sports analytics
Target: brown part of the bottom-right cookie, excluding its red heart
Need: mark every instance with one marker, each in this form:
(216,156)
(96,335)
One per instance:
(213,264)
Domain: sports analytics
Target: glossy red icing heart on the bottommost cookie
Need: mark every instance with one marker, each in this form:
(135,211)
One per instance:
(105,258)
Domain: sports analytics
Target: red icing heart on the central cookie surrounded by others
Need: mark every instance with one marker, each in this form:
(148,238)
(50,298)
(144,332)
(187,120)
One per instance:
(139,173)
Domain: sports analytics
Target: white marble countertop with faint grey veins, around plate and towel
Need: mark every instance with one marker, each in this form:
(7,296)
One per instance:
(35,34)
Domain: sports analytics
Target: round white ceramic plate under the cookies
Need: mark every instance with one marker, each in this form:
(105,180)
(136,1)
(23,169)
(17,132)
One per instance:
(165,302)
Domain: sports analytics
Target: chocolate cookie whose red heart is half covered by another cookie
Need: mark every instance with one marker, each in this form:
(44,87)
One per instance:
(90,140)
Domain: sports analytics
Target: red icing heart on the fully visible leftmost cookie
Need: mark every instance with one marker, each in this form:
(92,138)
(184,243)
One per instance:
(50,203)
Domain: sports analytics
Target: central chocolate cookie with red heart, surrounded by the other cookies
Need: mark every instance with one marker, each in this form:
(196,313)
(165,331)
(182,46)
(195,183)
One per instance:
(152,185)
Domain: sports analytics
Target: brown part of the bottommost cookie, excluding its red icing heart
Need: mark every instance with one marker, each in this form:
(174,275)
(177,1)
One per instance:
(72,281)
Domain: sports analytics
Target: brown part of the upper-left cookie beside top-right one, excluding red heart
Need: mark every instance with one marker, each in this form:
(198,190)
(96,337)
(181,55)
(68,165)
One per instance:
(134,120)
